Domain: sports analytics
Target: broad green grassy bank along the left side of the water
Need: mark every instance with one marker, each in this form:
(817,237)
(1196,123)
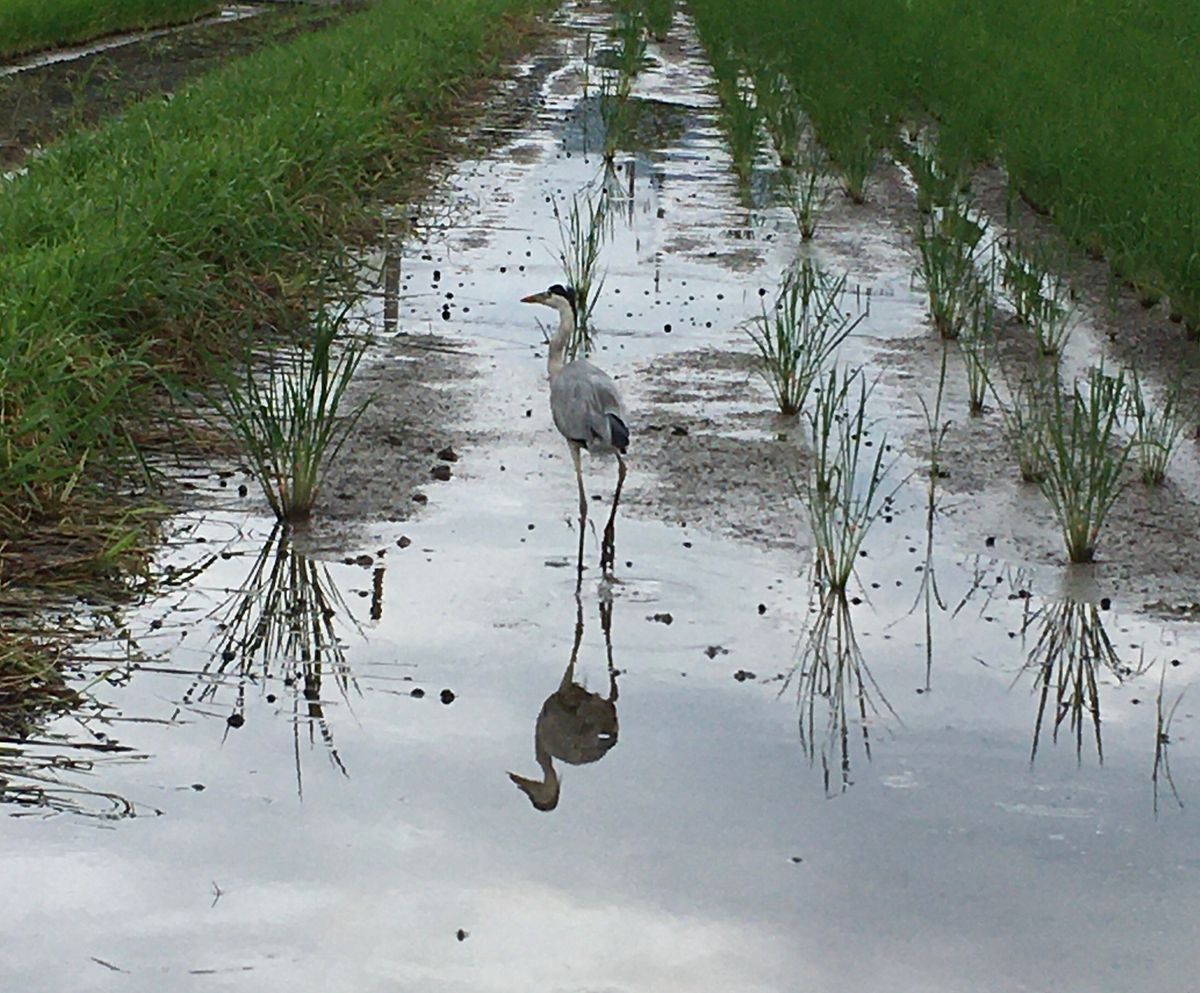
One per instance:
(135,250)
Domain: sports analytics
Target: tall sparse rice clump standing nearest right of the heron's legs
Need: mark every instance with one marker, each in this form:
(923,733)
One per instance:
(844,490)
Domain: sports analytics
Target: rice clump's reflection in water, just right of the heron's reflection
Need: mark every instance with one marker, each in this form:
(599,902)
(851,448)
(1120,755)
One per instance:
(832,671)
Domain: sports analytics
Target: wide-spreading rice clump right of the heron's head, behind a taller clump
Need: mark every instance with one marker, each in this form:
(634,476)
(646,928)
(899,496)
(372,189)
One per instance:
(801,333)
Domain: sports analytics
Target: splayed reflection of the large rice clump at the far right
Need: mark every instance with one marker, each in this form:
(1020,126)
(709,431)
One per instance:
(1072,645)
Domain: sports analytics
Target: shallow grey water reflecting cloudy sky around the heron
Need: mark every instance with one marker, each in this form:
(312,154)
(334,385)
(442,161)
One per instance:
(321,750)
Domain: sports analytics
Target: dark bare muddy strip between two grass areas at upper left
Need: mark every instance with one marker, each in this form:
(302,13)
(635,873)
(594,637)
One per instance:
(40,105)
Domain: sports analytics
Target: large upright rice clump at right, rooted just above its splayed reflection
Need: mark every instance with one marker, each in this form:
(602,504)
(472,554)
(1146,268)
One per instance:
(1084,459)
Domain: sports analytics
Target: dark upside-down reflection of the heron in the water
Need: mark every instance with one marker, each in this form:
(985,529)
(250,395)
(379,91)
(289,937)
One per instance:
(575,726)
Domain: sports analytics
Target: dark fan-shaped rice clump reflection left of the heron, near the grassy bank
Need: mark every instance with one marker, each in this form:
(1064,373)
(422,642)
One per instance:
(280,625)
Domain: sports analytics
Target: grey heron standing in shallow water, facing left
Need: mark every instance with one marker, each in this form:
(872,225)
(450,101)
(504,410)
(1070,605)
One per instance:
(587,412)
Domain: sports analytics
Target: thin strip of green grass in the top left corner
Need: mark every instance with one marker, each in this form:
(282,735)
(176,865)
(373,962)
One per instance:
(27,26)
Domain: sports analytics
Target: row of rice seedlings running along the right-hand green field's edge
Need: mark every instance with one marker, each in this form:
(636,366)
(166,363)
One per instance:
(1073,441)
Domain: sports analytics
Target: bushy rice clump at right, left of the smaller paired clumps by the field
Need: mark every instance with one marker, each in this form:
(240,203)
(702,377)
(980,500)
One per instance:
(946,267)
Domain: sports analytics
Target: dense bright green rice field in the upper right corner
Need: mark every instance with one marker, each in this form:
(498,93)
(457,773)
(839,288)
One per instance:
(1094,109)
